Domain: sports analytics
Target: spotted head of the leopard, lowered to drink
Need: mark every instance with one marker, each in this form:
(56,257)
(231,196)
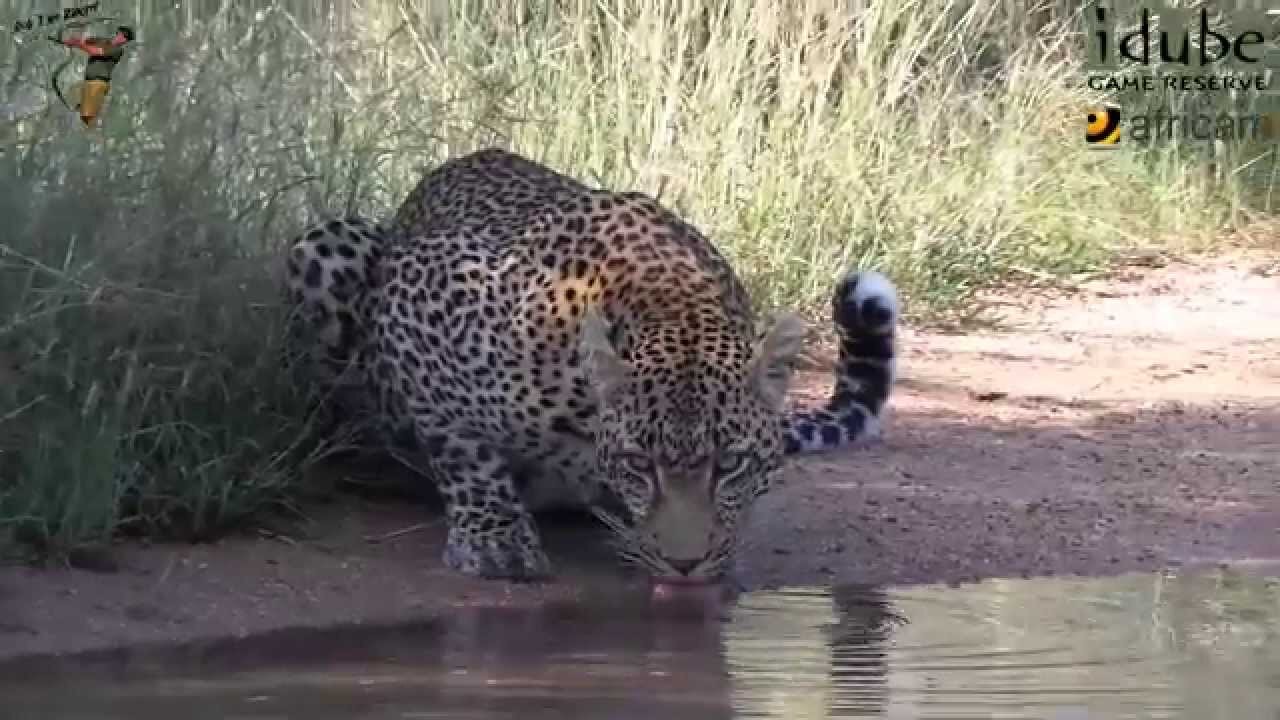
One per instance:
(689,432)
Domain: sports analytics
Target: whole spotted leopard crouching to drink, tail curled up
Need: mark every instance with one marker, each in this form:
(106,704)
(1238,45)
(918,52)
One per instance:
(531,343)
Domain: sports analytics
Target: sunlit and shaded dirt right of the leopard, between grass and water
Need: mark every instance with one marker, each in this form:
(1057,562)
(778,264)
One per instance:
(1132,425)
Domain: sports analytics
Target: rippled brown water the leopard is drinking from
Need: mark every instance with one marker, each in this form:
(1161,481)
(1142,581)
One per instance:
(1197,646)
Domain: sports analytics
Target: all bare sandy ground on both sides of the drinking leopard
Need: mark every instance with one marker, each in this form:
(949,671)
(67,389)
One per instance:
(1128,425)
